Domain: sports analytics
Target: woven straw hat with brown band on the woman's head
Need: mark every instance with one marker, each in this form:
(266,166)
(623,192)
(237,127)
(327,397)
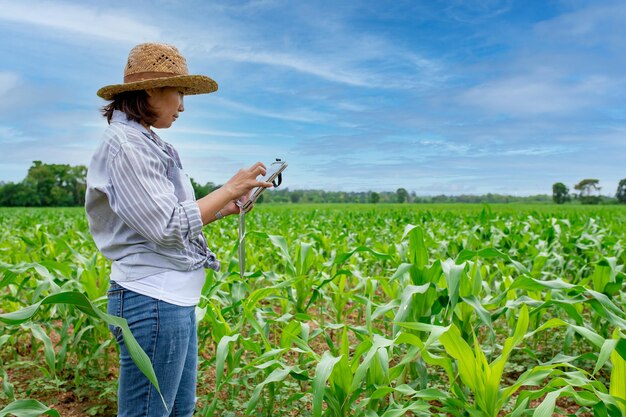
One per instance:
(153,65)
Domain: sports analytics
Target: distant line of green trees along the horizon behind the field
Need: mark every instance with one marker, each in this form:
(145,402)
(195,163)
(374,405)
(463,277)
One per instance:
(64,185)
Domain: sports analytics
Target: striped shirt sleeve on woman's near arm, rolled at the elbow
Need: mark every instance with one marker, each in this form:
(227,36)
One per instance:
(145,199)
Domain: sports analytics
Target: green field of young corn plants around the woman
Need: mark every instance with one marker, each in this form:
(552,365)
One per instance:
(345,310)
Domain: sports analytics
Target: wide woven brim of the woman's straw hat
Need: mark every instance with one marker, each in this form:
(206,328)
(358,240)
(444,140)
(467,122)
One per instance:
(190,84)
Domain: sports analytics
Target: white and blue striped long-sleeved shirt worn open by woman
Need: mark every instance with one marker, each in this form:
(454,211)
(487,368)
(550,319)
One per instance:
(141,207)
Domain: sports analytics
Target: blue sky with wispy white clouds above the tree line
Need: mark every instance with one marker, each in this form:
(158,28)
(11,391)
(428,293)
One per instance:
(438,97)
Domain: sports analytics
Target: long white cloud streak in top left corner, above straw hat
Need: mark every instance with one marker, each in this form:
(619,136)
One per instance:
(99,22)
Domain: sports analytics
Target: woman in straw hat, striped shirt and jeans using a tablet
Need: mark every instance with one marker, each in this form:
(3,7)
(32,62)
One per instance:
(144,217)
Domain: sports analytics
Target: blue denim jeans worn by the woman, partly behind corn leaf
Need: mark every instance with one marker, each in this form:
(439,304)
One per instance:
(167,333)
